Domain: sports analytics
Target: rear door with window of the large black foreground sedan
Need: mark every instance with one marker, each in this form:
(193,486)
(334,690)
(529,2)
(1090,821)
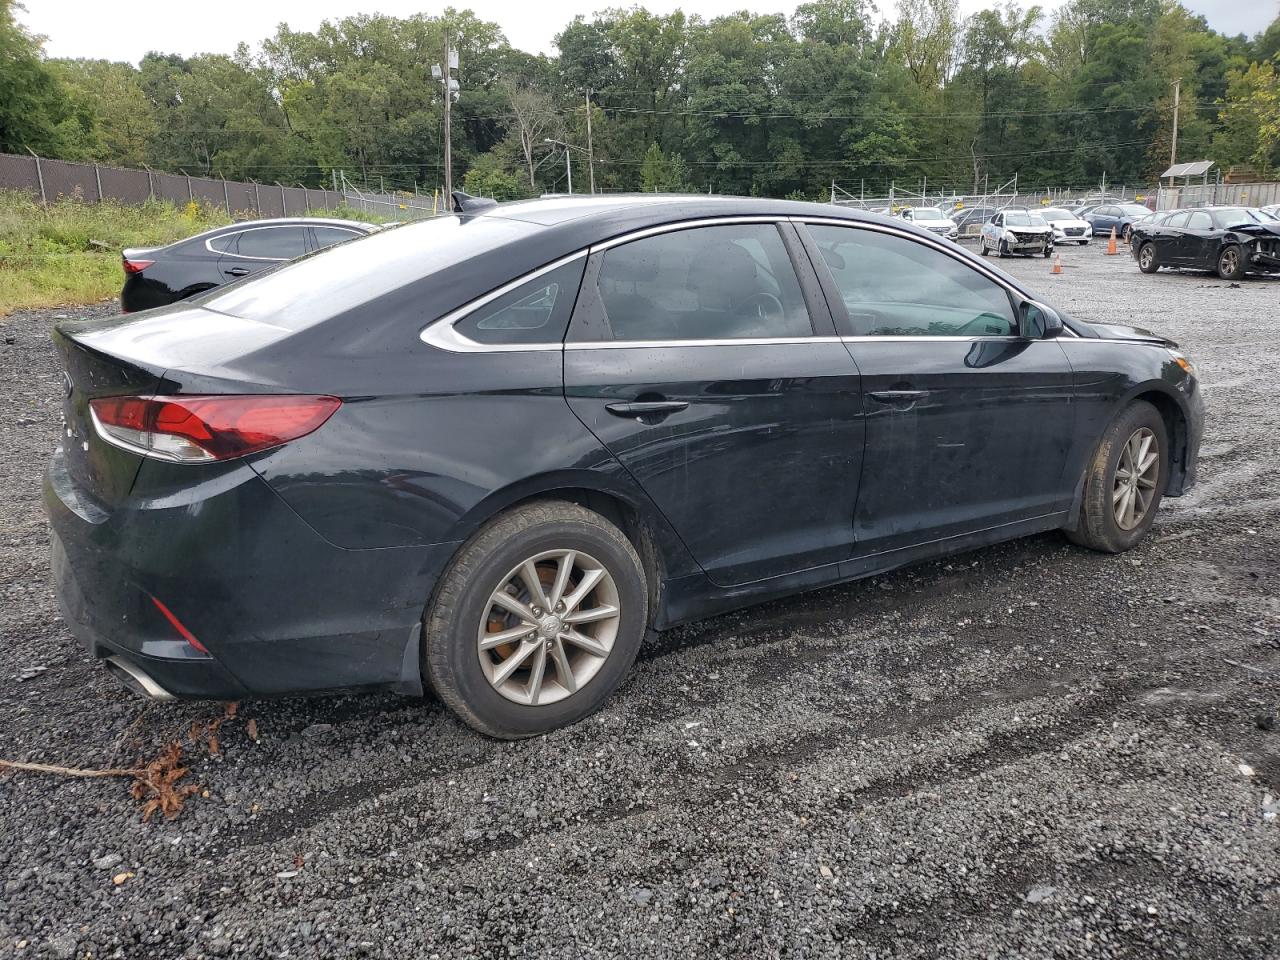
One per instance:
(710,369)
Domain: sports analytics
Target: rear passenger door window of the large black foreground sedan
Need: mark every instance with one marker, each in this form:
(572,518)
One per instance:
(707,284)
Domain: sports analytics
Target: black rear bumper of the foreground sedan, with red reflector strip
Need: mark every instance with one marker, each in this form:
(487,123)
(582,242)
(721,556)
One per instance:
(280,609)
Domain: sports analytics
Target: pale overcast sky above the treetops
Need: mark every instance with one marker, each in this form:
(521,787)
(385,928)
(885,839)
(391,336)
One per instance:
(118,31)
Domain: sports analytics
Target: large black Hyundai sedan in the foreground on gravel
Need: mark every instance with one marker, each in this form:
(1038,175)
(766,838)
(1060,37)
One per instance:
(487,454)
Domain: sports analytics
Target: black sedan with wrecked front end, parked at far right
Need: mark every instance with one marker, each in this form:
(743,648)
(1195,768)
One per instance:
(1228,240)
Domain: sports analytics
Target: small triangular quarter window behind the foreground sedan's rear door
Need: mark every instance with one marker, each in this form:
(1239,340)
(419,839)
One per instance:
(537,312)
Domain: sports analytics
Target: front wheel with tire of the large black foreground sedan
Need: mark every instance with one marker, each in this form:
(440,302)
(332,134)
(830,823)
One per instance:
(1099,527)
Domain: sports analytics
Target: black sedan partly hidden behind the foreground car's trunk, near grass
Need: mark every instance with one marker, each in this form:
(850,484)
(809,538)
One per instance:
(159,276)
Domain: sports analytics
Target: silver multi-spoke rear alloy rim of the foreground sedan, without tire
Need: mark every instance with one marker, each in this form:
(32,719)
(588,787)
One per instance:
(548,628)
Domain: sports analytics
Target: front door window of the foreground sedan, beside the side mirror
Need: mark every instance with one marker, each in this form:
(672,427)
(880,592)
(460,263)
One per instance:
(895,287)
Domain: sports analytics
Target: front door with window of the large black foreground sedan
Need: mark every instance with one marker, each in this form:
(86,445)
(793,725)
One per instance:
(970,423)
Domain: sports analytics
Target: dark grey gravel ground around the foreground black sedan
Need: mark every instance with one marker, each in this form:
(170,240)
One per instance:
(1026,752)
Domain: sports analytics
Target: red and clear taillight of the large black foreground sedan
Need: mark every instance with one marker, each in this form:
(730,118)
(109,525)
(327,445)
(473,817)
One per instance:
(202,429)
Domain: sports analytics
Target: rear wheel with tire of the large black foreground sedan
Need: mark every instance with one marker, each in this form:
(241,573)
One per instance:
(464,610)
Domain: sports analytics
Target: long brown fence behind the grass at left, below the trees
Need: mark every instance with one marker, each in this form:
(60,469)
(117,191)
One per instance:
(51,180)
